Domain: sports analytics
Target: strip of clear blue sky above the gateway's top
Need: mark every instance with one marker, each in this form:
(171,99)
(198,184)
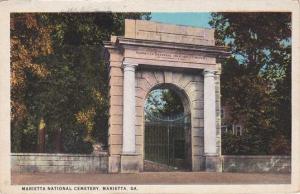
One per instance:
(197,19)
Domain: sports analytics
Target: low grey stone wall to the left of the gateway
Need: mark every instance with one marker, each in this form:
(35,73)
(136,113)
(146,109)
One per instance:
(60,163)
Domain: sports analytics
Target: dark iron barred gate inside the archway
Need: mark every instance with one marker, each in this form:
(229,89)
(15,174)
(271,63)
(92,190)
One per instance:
(167,140)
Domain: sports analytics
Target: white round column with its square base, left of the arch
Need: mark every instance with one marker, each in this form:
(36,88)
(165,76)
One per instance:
(129,160)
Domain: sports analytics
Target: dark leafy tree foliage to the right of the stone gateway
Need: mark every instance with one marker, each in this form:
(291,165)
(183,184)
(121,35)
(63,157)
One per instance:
(256,80)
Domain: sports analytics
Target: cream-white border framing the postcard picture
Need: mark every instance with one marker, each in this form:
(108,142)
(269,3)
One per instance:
(6,7)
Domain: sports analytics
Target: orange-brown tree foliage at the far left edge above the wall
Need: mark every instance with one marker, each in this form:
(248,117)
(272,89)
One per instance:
(29,39)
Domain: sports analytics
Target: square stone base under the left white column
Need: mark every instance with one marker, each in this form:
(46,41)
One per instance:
(130,163)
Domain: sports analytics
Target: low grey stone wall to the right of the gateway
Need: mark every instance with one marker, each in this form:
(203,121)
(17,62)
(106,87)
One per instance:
(280,164)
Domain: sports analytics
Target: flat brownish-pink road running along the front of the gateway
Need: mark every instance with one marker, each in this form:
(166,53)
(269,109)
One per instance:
(152,178)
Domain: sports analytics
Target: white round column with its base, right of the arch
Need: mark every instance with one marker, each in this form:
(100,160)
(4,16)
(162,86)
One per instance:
(210,138)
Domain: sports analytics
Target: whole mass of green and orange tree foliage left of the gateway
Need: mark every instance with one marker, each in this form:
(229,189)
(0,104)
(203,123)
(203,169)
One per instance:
(59,77)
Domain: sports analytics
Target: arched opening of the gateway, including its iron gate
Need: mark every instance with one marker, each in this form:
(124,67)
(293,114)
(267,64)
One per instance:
(167,129)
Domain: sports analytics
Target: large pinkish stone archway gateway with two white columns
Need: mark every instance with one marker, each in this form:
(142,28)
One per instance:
(151,54)
